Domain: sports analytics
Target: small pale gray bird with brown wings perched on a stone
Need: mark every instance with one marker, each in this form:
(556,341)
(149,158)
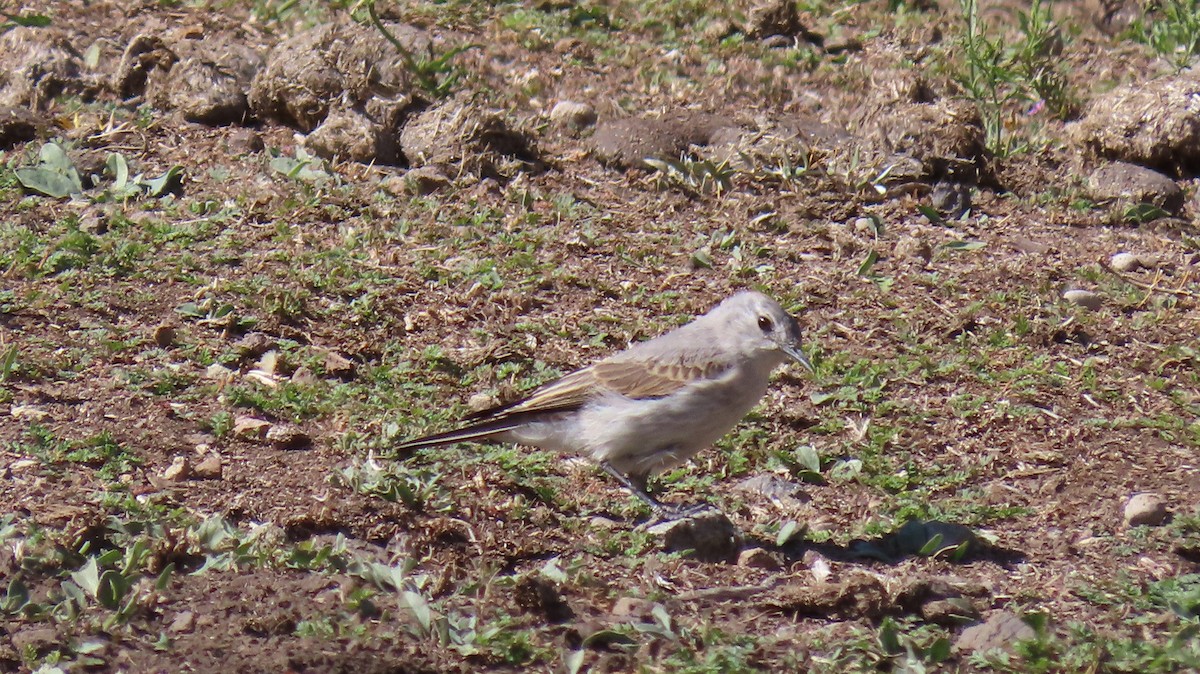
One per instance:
(656,405)
